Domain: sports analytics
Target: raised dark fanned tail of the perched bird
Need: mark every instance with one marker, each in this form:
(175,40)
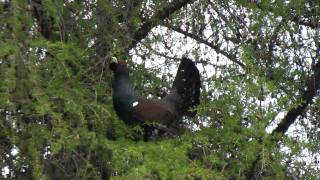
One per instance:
(187,84)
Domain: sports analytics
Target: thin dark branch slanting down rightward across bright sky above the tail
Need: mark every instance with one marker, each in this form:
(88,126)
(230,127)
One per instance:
(232,57)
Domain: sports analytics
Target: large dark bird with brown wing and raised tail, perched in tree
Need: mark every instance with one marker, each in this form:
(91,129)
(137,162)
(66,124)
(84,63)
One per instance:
(183,96)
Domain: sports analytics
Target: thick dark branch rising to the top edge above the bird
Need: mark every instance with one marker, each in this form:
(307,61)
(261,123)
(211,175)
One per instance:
(160,15)
